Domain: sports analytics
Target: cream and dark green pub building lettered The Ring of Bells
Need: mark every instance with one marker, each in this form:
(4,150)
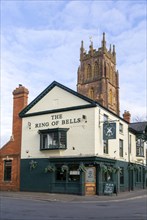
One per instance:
(72,144)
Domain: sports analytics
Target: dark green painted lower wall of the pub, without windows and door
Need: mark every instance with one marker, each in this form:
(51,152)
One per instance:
(36,180)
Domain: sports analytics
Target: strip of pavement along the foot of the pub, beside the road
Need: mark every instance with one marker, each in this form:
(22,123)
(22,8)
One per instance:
(54,197)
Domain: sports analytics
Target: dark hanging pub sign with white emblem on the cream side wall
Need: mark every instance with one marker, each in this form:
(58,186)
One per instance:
(109,130)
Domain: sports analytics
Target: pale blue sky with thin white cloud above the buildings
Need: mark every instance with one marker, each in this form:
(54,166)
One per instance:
(41,39)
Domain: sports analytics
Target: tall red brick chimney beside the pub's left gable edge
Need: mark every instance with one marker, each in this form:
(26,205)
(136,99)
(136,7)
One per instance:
(20,100)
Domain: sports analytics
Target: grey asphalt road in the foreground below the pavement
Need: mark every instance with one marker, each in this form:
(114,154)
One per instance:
(31,209)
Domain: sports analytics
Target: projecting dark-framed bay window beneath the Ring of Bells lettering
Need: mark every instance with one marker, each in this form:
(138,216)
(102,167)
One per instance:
(51,139)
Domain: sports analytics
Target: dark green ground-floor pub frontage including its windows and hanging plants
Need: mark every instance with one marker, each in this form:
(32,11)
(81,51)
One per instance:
(36,179)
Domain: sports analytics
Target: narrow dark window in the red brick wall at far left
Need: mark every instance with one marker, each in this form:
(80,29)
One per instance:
(7,170)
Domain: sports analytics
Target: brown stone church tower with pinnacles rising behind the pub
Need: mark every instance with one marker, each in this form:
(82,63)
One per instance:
(97,76)
